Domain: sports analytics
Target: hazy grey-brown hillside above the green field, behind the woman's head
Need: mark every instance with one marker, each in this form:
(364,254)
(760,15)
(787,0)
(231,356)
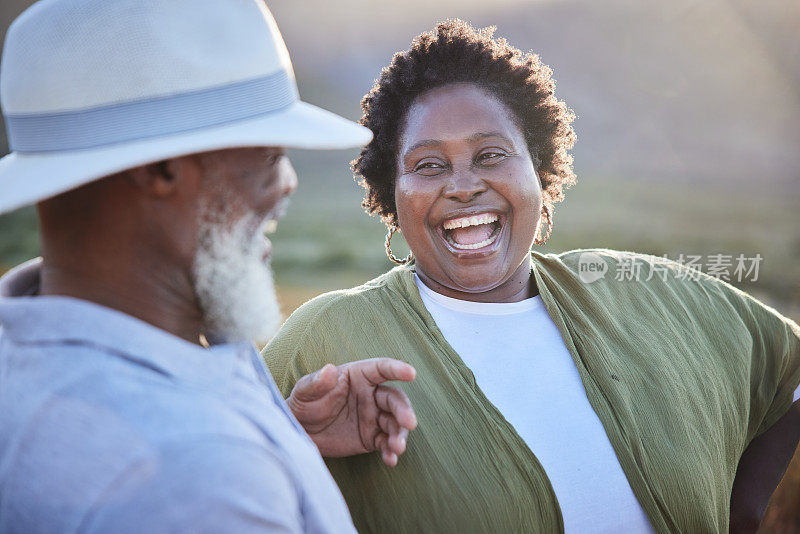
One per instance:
(680,90)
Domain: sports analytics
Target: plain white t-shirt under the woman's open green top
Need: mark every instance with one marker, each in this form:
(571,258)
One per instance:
(521,364)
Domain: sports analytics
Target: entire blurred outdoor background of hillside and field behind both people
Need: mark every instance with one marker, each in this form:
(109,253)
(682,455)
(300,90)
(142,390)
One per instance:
(688,129)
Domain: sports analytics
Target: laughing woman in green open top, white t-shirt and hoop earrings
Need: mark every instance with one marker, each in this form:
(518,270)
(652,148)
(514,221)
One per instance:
(547,400)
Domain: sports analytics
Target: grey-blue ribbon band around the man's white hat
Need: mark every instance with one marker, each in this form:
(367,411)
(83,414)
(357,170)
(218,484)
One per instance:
(152,117)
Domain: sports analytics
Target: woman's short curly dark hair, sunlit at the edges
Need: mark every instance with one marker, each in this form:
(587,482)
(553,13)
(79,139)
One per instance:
(456,52)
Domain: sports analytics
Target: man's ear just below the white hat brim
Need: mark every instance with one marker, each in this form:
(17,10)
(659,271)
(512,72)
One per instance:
(168,177)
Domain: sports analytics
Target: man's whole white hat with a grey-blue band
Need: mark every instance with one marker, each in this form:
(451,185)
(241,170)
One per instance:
(93,87)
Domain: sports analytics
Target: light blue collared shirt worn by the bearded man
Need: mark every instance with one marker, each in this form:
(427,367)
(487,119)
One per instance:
(108,424)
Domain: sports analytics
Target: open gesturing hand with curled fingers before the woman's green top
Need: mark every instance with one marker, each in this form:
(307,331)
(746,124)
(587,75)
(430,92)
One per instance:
(347,410)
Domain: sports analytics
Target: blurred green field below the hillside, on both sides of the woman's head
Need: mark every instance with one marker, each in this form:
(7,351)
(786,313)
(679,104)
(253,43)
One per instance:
(327,242)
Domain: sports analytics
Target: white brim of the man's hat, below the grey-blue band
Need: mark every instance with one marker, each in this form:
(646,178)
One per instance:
(28,178)
